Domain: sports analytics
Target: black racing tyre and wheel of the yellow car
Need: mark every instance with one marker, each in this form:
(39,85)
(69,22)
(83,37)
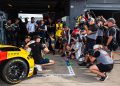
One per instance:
(14,71)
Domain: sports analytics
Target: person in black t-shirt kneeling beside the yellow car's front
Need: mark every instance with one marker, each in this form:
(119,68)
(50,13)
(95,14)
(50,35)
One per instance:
(36,50)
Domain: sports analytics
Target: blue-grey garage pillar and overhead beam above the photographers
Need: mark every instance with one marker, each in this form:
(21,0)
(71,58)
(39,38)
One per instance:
(109,8)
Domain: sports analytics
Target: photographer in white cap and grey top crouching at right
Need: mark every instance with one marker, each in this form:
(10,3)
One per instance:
(104,62)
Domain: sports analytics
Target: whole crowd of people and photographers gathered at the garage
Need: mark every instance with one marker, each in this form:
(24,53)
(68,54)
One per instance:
(89,42)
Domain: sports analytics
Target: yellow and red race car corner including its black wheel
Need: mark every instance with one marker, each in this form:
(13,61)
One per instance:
(15,64)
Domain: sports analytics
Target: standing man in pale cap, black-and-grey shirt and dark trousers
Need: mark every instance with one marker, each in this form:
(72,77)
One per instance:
(91,32)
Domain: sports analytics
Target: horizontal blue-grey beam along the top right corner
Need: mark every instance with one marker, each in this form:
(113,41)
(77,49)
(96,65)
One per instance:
(103,4)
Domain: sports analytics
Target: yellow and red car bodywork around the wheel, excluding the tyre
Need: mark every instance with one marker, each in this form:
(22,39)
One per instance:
(8,52)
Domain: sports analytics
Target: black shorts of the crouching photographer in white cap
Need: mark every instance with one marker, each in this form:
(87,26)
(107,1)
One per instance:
(105,67)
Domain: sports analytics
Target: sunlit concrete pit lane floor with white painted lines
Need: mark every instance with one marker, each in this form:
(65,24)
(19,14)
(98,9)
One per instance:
(59,75)
